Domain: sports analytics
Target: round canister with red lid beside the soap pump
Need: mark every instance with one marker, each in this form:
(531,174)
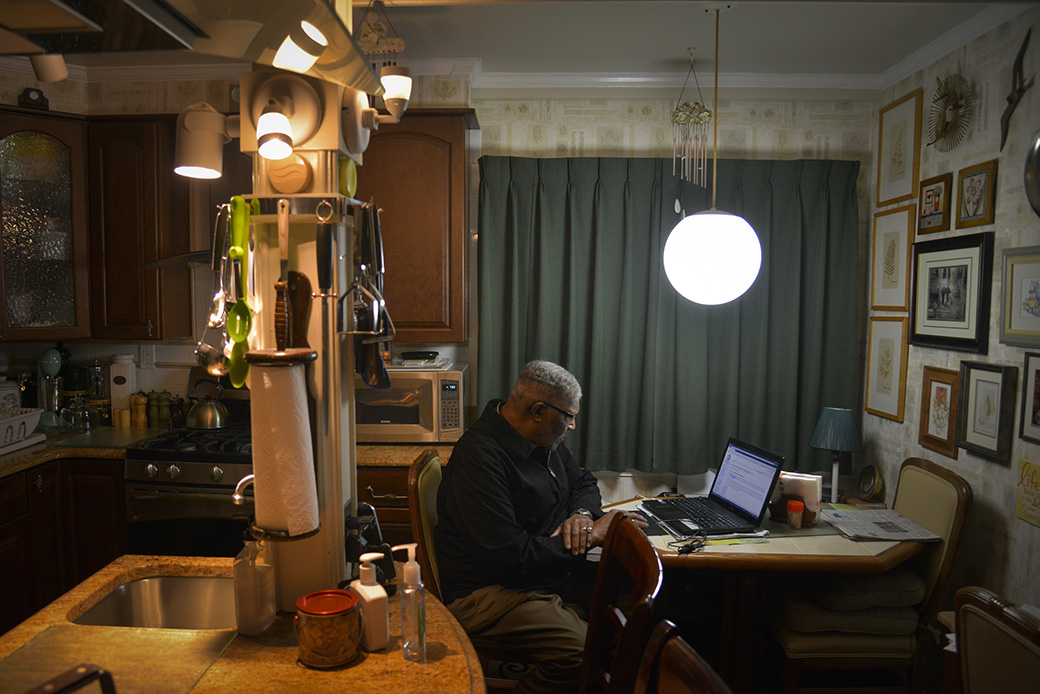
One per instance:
(328,629)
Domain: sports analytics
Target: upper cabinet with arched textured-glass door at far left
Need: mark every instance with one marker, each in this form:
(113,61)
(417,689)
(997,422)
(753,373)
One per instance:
(44,272)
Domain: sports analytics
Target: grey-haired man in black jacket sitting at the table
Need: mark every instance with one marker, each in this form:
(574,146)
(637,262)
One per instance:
(516,517)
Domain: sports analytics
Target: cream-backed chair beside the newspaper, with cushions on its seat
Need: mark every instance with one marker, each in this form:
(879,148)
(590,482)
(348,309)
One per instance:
(940,501)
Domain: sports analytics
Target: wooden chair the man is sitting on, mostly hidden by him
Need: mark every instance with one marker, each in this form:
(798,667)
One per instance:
(424,481)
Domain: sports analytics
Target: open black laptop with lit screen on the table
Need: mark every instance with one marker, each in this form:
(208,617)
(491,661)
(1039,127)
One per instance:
(737,502)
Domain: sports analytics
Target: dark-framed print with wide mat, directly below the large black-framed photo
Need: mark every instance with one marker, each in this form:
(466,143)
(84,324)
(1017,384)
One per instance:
(986,413)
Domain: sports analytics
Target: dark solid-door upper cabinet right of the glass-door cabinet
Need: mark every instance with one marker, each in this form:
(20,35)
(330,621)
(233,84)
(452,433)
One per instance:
(140,214)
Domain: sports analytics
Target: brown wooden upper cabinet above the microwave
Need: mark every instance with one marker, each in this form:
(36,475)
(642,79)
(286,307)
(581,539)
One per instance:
(417,172)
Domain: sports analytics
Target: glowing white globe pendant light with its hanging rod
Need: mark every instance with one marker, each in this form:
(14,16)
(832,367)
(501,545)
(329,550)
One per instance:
(713,258)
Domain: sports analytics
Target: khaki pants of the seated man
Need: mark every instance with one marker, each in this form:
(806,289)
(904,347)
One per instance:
(534,627)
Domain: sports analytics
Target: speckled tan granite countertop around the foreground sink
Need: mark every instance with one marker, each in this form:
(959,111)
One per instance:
(266,663)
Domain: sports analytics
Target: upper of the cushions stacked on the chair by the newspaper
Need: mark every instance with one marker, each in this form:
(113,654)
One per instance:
(899,588)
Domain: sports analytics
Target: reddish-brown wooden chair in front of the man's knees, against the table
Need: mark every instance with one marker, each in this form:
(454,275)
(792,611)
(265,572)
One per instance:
(630,570)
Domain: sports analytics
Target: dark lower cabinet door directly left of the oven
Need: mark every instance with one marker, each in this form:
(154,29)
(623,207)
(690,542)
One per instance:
(95,518)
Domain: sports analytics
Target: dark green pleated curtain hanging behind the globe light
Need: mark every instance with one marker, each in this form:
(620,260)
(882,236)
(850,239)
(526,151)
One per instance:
(570,271)
